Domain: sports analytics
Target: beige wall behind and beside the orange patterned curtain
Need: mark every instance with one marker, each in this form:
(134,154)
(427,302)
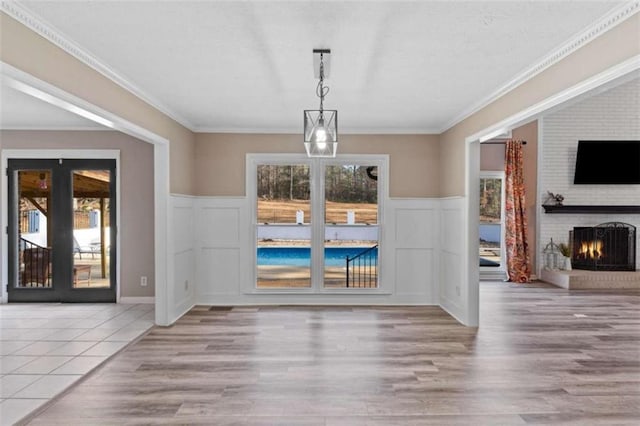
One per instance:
(492,159)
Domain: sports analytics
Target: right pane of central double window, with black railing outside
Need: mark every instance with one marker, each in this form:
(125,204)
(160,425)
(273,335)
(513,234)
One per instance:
(351,226)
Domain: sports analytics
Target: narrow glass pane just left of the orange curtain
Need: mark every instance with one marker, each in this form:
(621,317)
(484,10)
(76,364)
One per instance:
(491,229)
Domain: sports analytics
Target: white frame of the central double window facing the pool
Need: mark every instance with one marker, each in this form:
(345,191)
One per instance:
(317,171)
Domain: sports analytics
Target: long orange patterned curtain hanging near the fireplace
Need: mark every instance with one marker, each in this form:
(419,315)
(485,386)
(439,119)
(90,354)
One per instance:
(518,266)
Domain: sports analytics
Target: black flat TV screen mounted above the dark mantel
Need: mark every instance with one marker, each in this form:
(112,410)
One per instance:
(608,162)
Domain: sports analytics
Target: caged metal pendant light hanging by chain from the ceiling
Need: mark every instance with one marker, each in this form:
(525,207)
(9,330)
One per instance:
(321,125)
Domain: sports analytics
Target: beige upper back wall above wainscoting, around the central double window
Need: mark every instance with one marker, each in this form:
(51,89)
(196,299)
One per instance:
(413,160)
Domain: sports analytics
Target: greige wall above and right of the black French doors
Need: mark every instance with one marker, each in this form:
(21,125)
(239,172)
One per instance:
(136,227)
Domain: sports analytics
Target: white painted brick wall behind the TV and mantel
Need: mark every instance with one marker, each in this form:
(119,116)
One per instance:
(611,115)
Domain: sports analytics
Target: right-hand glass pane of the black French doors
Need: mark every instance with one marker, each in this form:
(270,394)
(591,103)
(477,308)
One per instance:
(91,231)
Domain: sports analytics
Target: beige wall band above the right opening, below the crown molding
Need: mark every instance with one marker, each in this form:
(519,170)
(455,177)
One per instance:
(612,48)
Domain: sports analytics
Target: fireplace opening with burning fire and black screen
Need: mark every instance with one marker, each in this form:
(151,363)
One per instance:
(609,246)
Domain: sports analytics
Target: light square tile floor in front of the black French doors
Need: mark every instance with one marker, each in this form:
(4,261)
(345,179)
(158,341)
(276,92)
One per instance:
(45,348)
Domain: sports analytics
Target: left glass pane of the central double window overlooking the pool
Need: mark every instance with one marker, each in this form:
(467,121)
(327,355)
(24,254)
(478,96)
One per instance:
(283,228)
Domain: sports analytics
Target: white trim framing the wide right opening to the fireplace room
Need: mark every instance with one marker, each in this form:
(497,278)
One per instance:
(626,69)
